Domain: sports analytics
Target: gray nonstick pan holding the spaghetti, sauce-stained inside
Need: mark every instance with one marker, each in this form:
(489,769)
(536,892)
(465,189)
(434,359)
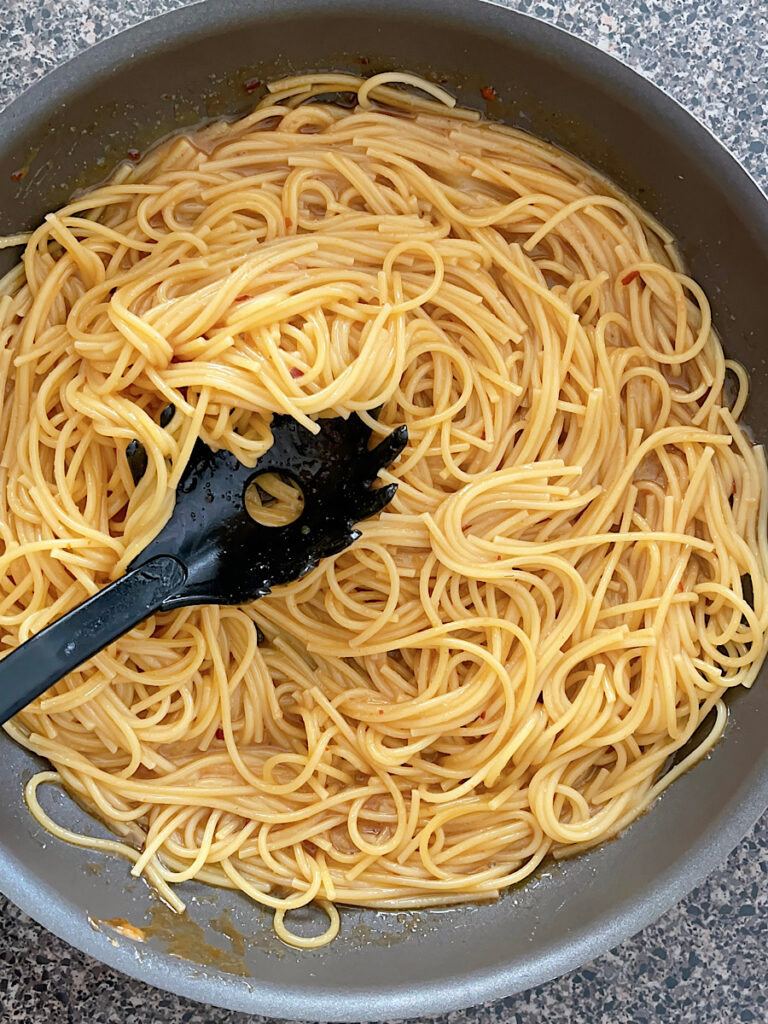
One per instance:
(71,130)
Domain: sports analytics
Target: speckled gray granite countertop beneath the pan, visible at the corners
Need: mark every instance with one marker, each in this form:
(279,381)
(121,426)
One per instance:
(704,962)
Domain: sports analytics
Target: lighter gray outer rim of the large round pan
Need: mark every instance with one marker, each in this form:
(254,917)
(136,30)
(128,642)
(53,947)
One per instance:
(50,907)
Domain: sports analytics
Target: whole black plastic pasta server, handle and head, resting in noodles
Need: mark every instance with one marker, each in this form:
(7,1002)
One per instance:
(211,551)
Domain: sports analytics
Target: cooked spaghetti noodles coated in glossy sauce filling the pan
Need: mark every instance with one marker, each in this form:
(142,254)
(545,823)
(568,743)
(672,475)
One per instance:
(571,578)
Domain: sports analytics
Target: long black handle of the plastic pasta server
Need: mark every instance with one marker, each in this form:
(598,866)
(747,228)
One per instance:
(63,647)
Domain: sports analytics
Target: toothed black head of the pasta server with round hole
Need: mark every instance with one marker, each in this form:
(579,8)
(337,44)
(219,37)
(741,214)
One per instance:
(229,558)
